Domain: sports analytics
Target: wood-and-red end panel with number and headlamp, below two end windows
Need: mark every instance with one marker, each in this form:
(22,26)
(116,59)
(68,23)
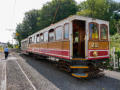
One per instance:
(98,50)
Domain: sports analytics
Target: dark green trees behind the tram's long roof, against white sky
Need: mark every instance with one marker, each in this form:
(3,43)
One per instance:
(50,13)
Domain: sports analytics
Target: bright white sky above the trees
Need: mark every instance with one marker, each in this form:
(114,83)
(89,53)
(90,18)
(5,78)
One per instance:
(12,13)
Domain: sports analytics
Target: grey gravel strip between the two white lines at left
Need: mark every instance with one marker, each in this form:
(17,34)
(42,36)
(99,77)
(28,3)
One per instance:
(15,78)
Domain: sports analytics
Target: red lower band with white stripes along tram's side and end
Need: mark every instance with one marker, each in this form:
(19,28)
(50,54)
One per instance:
(65,54)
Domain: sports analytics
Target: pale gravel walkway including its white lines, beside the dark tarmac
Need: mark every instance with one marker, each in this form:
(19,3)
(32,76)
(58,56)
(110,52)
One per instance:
(12,77)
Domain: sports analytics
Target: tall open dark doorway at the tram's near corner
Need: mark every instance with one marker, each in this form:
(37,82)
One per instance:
(78,39)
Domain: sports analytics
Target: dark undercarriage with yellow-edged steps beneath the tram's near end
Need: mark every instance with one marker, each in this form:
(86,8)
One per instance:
(82,69)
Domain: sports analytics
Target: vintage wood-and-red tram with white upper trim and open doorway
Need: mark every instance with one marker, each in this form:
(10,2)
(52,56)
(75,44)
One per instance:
(79,44)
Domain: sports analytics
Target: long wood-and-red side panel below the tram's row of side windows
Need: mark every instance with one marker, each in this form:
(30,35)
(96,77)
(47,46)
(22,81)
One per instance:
(58,49)
